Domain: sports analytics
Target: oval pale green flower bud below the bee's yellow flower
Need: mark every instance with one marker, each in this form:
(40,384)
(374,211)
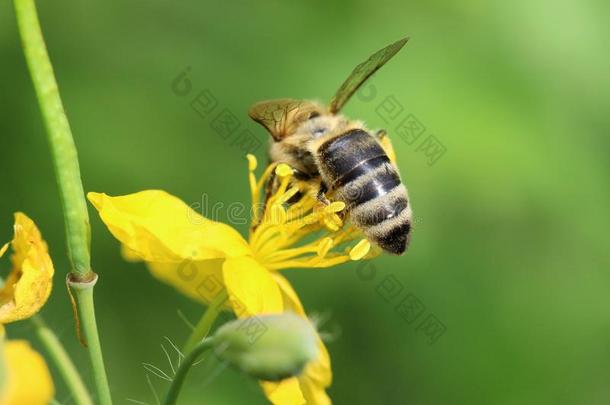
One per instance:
(267,347)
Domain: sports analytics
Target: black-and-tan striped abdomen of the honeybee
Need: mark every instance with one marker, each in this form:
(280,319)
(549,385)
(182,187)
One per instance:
(357,171)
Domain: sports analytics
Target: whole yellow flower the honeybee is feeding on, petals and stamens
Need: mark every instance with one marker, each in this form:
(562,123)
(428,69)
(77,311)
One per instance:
(197,255)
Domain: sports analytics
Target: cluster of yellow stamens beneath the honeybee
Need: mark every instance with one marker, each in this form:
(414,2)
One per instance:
(281,227)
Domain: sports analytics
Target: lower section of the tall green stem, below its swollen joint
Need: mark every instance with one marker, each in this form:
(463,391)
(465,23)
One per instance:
(83,294)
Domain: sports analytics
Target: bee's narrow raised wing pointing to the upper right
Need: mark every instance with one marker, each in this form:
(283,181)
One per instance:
(362,72)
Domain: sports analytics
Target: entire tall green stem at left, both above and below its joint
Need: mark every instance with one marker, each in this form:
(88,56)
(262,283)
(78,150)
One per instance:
(65,161)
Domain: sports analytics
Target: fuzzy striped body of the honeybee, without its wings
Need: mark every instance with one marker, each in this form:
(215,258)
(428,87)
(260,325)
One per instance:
(354,168)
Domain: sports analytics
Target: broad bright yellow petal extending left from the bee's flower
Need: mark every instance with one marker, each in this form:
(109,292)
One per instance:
(158,227)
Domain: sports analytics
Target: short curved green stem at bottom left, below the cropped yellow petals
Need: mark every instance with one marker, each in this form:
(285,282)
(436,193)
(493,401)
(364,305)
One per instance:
(62,361)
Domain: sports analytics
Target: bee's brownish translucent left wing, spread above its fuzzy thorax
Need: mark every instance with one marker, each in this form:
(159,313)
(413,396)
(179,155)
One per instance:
(282,117)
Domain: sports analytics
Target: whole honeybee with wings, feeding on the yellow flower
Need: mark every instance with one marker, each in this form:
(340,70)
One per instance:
(344,159)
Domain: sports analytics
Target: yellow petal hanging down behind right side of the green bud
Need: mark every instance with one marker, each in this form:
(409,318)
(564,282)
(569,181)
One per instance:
(317,375)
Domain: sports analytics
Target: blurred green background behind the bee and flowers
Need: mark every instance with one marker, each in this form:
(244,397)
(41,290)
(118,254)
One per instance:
(510,249)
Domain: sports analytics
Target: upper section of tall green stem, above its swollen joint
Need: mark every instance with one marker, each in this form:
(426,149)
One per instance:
(65,158)
